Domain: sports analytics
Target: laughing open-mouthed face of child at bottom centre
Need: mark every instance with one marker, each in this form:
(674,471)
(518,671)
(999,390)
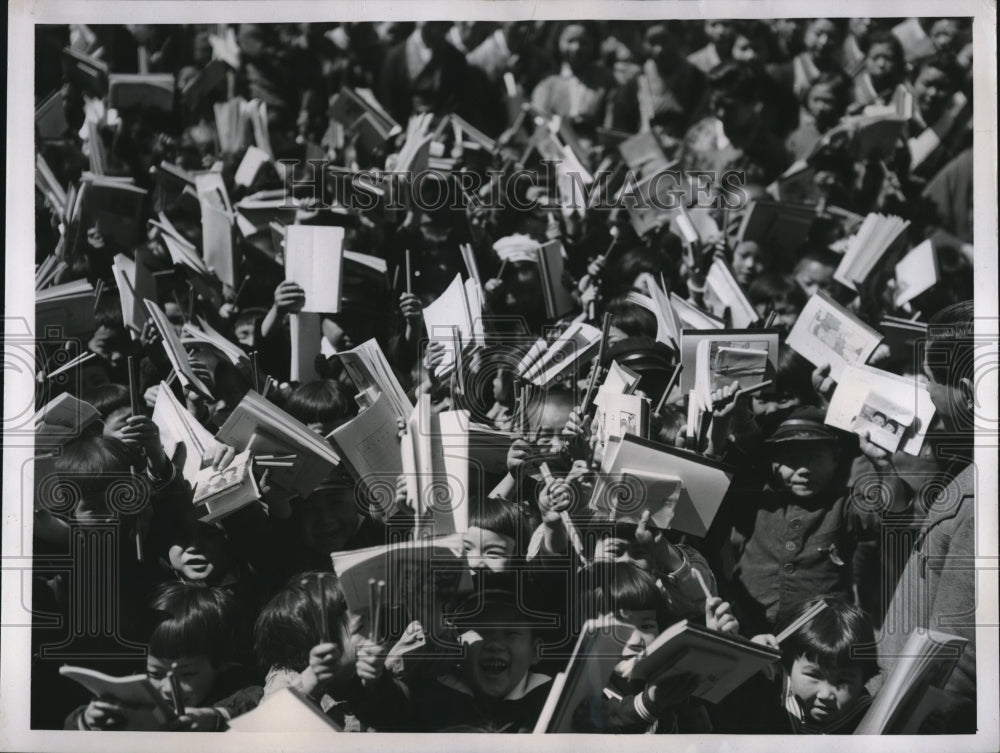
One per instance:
(502,658)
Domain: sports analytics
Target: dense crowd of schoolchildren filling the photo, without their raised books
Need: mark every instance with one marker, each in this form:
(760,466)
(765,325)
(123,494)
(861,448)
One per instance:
(228,612)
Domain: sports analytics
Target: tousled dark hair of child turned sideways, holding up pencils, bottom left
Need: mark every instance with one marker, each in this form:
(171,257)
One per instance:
(290,624)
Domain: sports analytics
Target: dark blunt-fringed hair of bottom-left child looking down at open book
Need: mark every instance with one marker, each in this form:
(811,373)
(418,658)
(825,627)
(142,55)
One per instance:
(195,621)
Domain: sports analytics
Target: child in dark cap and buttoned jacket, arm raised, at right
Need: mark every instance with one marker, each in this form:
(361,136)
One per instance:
(794,538)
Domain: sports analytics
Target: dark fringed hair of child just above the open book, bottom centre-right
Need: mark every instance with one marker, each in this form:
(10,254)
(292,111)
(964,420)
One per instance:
(613,587)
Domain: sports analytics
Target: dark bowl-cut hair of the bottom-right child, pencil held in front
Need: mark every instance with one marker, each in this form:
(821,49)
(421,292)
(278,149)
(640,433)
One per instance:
(833,639)
